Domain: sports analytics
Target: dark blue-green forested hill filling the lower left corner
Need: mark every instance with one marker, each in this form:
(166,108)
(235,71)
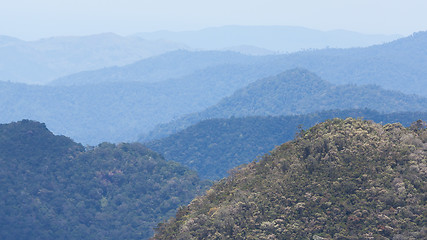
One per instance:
(53,188)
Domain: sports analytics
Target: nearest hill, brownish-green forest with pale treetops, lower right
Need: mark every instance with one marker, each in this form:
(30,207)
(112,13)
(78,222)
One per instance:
(341,179)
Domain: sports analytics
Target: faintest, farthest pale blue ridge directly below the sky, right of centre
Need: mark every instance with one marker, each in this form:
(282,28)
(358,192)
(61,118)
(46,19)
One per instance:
(273,38)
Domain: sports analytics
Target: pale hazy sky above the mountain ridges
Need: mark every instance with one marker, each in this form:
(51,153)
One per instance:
(32,19)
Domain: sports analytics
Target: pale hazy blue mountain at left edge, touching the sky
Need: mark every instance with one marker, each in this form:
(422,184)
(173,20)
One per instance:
(47,59)
